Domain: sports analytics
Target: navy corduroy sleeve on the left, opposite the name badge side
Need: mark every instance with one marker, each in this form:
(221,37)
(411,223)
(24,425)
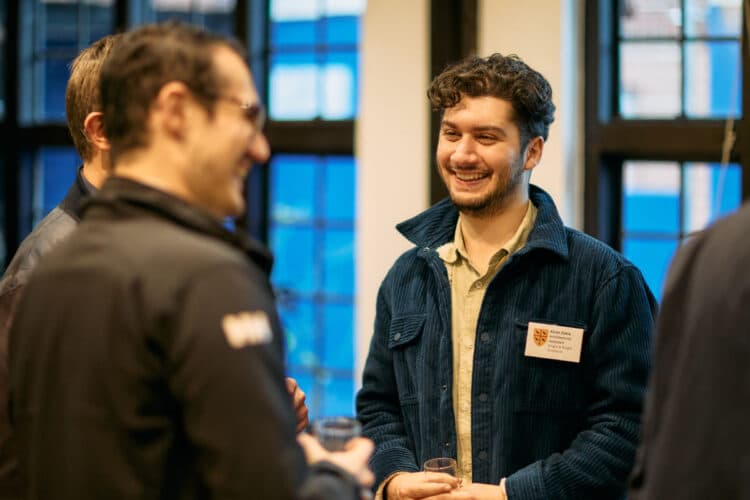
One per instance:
(378,405)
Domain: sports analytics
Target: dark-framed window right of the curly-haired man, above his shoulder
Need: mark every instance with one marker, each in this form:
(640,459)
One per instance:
(669,94)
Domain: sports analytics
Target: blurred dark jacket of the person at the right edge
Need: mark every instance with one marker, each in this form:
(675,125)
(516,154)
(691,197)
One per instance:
(696,437)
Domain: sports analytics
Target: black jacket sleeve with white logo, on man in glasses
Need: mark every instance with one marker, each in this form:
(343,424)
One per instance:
(227,374)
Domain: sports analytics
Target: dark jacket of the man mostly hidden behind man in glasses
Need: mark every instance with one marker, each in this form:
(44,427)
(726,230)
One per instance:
(50,231)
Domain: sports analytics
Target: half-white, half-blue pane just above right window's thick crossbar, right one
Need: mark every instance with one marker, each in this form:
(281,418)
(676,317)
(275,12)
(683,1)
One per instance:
(712,79)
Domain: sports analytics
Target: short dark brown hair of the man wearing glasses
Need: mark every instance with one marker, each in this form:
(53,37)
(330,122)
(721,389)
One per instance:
(148,58)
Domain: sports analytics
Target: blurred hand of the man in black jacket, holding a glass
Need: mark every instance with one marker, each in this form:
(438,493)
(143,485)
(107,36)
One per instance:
(355,459)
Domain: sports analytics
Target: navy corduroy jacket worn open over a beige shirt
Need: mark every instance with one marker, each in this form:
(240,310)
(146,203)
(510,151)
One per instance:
(555,429)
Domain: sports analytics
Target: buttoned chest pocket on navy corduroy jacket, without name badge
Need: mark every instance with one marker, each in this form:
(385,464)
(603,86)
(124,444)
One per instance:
(404,338)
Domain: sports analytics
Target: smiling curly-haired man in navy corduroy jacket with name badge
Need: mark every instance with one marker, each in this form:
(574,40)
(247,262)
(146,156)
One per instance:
(504,339)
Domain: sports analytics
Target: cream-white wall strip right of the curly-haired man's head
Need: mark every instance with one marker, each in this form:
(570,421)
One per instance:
(547,35)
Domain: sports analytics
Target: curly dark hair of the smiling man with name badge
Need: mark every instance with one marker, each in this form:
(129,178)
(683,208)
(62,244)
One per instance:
(504,77)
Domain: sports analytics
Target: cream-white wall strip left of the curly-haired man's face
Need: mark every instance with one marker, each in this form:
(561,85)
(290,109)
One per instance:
(392,140)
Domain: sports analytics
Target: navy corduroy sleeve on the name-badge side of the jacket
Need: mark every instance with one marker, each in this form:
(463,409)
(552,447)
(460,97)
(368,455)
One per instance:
(597,462)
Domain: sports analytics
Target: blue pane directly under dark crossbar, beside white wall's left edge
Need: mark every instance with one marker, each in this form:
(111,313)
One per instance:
(340,188)
